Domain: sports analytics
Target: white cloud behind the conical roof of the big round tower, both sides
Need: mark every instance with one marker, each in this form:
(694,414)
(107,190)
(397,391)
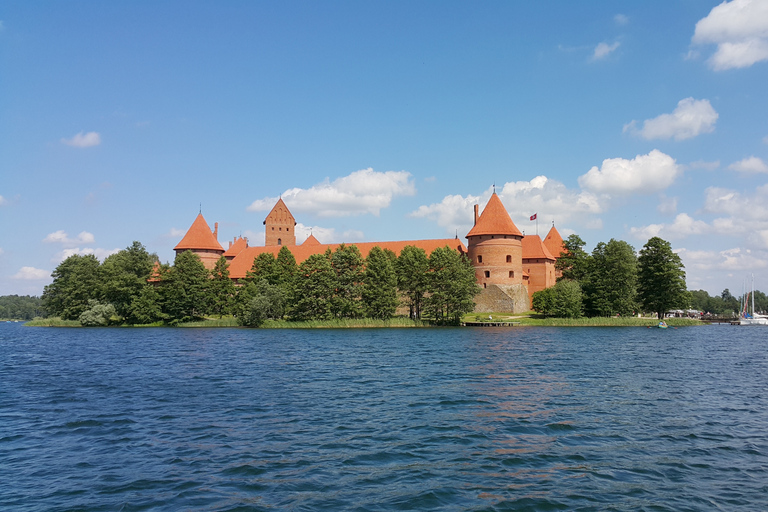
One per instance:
(549,198)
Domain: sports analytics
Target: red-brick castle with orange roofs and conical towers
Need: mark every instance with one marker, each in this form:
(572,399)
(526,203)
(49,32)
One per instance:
(509,266)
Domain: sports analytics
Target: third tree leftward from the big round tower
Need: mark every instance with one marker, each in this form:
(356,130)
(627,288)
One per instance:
(379,293)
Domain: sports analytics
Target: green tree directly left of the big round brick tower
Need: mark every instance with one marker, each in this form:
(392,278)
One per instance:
(451,285)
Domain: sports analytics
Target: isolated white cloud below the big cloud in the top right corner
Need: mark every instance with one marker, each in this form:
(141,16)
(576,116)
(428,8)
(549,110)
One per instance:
(690,118)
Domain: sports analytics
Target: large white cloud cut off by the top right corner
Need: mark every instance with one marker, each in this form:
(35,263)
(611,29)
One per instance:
(740,31)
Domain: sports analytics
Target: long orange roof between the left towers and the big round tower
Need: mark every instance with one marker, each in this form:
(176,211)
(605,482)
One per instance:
(243,262)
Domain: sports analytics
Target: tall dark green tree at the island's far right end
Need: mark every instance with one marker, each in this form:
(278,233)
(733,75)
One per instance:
(661,278)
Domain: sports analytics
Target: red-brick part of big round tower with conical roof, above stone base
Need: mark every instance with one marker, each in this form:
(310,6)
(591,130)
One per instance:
(494,246)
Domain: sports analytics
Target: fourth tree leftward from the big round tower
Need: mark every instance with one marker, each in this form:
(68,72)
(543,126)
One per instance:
(348,265)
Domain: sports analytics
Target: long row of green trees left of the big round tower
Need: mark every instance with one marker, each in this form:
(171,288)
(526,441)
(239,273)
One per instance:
(128,288)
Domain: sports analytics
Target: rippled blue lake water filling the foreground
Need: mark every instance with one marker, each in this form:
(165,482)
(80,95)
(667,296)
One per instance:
(374,420)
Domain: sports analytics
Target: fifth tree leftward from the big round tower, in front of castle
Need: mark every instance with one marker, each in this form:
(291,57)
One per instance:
(315,286)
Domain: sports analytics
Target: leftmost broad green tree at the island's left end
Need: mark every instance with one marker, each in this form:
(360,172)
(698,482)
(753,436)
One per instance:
(75,282)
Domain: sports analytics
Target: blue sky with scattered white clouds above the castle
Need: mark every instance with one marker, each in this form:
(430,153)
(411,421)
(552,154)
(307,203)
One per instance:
(379,121)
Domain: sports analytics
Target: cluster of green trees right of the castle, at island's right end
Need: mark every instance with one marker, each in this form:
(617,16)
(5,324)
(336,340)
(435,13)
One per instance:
(615,280)
